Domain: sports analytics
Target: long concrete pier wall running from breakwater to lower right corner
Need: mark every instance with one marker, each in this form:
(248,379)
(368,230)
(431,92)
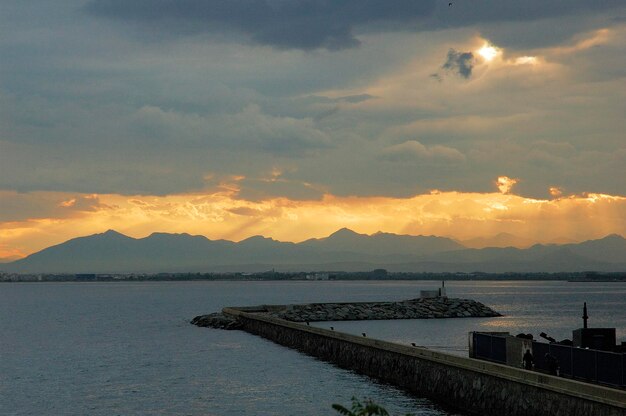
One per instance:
(469,385)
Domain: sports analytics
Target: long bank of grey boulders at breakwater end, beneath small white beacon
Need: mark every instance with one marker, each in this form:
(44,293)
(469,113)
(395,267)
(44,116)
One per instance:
(423,308)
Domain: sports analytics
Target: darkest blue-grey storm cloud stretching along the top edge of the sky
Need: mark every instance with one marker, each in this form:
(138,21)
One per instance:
(330,24)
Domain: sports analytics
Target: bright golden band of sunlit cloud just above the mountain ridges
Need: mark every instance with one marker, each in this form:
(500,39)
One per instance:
(222,215)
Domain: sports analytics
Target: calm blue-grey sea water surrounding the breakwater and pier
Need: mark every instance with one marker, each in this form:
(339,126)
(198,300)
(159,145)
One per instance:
(127,348)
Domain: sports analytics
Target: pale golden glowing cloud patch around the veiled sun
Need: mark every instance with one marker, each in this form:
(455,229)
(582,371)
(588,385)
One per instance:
(406,86)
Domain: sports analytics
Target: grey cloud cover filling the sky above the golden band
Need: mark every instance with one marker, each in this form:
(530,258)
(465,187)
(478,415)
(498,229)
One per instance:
(94,110)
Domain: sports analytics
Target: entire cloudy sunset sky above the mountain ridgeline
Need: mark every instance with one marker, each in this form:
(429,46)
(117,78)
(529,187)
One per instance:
(294,118)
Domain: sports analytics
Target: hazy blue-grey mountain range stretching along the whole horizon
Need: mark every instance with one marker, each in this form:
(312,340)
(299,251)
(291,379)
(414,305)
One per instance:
(344,250)
